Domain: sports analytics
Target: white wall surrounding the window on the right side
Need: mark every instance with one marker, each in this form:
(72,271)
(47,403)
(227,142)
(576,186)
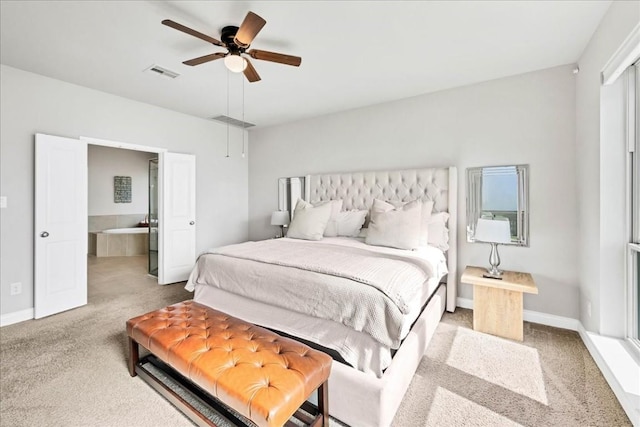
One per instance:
(599,173)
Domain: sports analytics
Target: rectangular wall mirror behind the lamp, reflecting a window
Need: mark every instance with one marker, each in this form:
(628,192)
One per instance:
(498,192)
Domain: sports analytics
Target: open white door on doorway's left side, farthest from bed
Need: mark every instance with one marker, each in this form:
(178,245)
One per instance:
(60,259)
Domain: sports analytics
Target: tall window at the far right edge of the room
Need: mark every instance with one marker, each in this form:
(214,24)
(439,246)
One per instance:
(633,139)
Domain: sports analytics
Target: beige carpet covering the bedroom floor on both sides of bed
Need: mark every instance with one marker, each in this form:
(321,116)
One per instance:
(70,369)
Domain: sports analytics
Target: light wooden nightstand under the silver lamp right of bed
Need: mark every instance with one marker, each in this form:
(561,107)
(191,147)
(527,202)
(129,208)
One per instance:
(497,304)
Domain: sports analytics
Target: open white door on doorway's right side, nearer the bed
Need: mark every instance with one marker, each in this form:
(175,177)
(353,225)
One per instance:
(176,217)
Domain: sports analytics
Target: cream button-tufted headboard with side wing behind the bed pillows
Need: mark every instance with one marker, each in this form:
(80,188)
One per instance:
(359,189)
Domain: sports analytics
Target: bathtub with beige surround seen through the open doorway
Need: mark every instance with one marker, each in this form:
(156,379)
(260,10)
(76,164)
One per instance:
(119,242)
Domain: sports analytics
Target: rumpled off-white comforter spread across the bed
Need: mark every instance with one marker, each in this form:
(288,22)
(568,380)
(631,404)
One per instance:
(368,288)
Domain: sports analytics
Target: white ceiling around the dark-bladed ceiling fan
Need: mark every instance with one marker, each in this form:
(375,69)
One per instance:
(354,53)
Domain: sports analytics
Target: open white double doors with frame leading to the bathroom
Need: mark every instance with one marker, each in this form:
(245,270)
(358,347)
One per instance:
(61,219)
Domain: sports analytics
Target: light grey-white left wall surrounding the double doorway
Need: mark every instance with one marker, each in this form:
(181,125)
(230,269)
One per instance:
(30,103)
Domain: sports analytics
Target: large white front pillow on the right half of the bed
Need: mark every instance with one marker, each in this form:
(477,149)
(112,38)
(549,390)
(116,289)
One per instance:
(396,228)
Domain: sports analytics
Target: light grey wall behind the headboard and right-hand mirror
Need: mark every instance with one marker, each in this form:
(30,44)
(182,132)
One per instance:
(525,119)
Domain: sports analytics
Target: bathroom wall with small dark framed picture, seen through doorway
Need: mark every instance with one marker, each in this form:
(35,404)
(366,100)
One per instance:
(107,162)
